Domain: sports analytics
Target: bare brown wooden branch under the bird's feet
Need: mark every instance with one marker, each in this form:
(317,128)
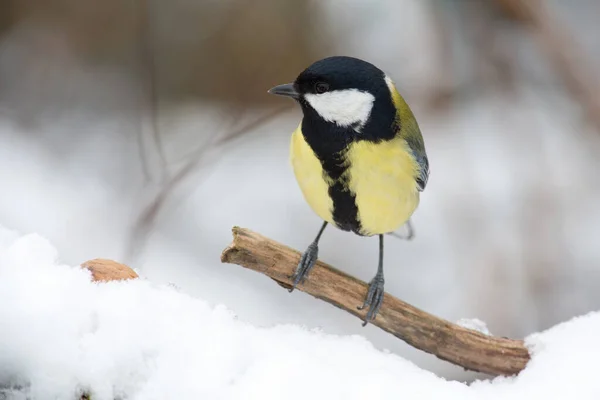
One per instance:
(461,346)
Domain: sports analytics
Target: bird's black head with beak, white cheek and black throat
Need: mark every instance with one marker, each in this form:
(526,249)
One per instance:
(343,98)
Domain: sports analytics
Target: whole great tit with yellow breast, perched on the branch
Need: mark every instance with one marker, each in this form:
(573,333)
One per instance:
(358,156)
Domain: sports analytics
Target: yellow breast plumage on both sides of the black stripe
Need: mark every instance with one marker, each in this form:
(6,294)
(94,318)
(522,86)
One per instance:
(382,177)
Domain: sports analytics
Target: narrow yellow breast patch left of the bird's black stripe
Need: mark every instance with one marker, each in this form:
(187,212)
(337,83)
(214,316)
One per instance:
(311,179)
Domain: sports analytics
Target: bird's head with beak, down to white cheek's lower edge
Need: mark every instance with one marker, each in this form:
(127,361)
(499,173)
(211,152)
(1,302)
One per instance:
(345,91)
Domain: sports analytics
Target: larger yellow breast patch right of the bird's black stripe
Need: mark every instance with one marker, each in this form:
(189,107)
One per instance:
(382,176)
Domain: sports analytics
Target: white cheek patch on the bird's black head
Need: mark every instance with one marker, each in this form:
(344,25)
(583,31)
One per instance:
(343,107)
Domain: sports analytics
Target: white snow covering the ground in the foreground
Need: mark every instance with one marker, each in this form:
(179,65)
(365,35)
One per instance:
(61,333)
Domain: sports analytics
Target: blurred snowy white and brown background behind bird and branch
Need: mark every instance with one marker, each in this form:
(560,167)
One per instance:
(142,131)
